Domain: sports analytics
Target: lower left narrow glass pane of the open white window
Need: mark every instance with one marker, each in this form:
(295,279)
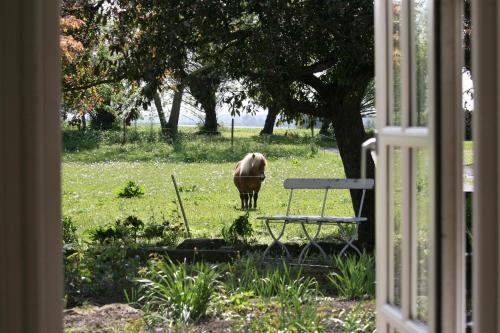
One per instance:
(396,215)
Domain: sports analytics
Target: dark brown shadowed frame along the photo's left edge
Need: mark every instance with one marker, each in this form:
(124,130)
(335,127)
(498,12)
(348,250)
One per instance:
(31,284)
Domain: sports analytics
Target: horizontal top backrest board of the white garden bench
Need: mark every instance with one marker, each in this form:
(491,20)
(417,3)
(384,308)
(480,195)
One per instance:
(328,183)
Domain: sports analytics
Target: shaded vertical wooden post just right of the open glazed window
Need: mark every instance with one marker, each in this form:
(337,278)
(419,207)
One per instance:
(451,211)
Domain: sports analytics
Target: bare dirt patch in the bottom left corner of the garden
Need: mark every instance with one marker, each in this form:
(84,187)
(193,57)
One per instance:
(107,318)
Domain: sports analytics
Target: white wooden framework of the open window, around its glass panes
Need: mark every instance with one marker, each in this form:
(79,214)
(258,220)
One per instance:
(407,137)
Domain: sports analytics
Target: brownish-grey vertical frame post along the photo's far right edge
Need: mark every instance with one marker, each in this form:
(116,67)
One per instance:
(486,215)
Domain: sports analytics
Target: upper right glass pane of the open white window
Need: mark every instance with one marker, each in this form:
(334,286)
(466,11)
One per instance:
(421,40)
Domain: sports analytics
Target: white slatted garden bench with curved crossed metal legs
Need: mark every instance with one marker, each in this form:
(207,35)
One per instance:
(320,220)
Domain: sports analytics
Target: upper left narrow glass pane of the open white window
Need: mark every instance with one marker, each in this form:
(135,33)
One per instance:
(396,64)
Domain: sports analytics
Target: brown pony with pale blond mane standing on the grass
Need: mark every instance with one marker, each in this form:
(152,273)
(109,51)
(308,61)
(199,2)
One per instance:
(248,176)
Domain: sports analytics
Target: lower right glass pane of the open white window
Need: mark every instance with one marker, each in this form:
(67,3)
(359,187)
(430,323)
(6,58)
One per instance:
(423,235)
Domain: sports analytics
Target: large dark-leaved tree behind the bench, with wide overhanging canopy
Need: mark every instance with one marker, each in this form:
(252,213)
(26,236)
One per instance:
(306,57)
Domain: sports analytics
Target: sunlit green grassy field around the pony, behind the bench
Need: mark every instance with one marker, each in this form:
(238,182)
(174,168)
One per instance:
(95,164)
